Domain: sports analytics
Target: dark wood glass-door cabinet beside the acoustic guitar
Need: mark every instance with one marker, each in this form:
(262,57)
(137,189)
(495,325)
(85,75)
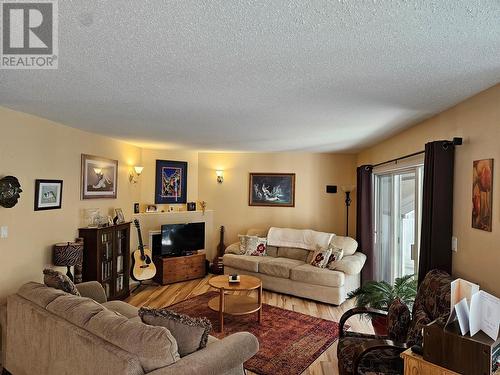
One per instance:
(106,258)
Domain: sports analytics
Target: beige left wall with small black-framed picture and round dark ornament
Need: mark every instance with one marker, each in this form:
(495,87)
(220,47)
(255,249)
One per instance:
(31,148)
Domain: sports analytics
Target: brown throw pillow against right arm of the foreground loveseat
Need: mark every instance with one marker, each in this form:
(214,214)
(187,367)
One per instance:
(191,334)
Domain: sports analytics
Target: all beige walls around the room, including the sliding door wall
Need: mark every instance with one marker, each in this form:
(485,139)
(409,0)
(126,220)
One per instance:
(31,147)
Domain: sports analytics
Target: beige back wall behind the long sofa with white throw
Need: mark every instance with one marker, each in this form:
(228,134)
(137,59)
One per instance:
(314,208)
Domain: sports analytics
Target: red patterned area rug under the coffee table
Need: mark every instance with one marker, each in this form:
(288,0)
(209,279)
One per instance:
(289,341)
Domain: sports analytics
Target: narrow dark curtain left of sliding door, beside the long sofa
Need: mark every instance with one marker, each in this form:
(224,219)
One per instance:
(364,220)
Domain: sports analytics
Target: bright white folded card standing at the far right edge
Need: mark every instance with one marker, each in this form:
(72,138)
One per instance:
(484,314)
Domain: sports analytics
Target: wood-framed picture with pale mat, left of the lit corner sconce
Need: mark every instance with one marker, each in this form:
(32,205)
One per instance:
(99,177)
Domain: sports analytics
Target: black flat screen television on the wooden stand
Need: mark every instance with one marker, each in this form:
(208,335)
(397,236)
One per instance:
(177,239)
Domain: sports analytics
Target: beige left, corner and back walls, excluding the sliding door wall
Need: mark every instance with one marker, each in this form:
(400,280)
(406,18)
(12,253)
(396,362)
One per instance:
(32,147)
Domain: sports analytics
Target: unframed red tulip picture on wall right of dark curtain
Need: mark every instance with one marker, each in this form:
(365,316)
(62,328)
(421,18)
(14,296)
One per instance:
(482,194)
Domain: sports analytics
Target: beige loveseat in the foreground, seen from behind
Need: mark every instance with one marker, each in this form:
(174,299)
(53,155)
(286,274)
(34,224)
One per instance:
(47,332)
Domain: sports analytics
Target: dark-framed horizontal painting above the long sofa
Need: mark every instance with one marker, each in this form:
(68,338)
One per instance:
(272,189)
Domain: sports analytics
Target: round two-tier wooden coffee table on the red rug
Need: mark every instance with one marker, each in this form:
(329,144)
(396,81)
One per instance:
(234,304)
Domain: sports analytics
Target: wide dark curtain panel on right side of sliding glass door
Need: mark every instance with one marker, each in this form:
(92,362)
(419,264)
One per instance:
(437,208)
